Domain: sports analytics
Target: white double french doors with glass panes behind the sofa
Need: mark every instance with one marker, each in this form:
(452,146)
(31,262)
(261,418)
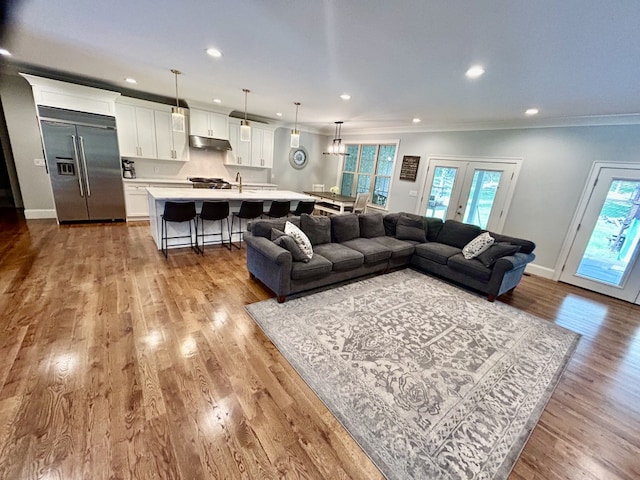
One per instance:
(475,192)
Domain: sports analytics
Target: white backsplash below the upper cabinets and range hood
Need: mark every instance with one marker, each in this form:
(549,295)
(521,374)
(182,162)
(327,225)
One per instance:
(202,163)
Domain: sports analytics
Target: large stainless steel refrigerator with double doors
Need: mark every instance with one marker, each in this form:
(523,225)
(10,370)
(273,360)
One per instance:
(81,150)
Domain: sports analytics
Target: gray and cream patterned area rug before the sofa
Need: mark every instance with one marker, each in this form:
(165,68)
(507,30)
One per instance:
(433,382)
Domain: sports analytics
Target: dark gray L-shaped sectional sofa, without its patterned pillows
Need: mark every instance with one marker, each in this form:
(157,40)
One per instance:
(350,246)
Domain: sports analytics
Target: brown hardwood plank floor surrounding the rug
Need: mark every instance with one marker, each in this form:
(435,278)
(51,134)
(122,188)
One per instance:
(117,363)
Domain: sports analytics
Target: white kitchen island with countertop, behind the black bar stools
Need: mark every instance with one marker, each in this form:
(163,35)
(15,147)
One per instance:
(158,196)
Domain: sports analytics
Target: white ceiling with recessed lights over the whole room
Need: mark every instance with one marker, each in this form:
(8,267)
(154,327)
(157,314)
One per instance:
(575,60)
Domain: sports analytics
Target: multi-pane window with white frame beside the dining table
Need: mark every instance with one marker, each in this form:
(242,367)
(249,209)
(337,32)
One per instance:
(368,169)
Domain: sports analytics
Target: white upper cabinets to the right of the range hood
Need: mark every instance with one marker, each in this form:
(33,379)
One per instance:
(256,153)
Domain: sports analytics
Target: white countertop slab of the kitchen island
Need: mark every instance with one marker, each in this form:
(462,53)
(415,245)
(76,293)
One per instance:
(224,194)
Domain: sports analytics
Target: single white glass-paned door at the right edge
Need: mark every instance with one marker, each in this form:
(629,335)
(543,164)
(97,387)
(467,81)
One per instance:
(605,247)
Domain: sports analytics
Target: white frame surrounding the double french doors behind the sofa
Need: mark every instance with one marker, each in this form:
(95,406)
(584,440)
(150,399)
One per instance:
(431,159)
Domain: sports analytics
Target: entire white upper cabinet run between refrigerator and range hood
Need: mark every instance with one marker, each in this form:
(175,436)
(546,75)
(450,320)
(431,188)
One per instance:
(145,131)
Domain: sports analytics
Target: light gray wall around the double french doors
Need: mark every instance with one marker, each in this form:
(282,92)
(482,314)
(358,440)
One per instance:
(556,163)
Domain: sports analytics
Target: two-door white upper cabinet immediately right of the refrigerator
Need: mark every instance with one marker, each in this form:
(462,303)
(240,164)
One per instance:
(136,131)
